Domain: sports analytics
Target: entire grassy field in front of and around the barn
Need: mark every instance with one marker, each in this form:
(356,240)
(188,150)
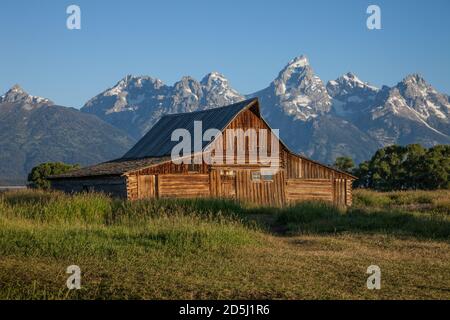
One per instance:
(211,249)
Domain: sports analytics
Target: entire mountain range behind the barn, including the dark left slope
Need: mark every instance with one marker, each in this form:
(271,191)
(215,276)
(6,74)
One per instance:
(346,116)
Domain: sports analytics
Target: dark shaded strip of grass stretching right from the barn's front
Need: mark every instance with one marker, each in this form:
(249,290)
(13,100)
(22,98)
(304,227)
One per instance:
(322,218)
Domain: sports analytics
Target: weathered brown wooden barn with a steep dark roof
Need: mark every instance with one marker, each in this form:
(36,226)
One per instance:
(149,171)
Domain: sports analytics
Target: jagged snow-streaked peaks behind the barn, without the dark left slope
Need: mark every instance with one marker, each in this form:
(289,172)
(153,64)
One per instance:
(346,116)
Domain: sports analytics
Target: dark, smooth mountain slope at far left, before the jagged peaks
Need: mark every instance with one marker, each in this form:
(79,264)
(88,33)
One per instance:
(34,130)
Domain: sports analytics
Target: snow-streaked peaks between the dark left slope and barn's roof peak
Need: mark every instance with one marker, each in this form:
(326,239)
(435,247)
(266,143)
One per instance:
(134,104)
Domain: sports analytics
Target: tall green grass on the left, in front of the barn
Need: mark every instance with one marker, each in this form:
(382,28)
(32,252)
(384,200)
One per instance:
(57,225)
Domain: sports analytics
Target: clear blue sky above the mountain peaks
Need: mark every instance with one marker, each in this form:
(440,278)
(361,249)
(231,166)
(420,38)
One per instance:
(249,41)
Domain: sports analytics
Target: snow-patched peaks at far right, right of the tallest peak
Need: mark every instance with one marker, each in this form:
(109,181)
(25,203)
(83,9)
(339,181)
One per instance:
(410,112)
